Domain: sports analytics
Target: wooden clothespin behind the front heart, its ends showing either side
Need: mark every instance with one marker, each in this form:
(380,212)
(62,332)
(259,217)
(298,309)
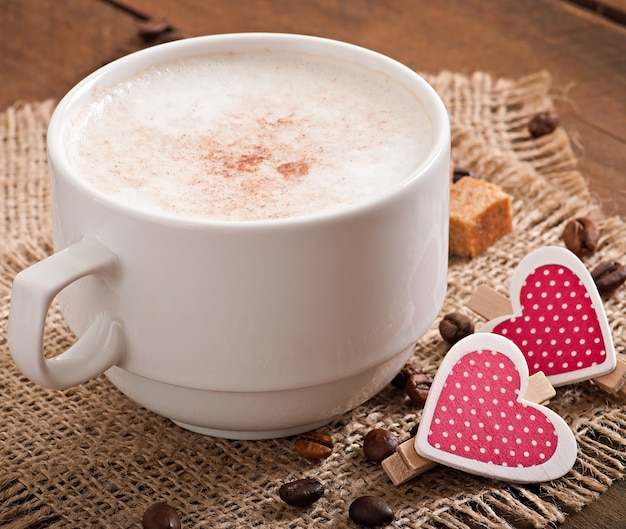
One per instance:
(407,464)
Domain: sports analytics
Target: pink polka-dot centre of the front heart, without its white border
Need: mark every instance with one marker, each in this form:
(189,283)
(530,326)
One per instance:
(479,416)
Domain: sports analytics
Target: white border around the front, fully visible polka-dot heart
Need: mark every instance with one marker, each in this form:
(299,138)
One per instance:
(557,466)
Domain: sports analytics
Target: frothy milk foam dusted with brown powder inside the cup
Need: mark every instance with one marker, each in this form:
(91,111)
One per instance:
(249,136)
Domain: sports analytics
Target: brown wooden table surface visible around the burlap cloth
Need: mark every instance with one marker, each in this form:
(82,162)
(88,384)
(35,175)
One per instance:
(46,46)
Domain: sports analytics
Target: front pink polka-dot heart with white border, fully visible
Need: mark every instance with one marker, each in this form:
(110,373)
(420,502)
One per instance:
(476,419)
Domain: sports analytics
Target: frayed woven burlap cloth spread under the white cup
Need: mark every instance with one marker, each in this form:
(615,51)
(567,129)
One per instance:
(89,457)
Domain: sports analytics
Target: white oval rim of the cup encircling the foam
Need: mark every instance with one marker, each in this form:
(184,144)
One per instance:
(195,46)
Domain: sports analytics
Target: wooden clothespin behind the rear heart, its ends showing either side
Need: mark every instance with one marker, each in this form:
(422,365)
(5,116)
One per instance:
(491,304)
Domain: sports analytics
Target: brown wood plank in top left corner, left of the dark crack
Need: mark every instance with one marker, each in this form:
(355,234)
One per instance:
(48,46)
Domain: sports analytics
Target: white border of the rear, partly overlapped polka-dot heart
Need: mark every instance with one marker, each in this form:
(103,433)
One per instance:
(561,256)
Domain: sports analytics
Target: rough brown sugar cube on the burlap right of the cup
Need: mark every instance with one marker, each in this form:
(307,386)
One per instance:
(480,214)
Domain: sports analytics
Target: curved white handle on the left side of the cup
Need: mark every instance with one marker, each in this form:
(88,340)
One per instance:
(101,346)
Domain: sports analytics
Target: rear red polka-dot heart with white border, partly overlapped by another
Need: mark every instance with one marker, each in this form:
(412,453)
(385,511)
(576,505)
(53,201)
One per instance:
(558,318)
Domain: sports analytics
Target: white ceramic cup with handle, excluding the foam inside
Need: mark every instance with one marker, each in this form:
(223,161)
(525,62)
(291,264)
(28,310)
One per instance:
(238,329)
